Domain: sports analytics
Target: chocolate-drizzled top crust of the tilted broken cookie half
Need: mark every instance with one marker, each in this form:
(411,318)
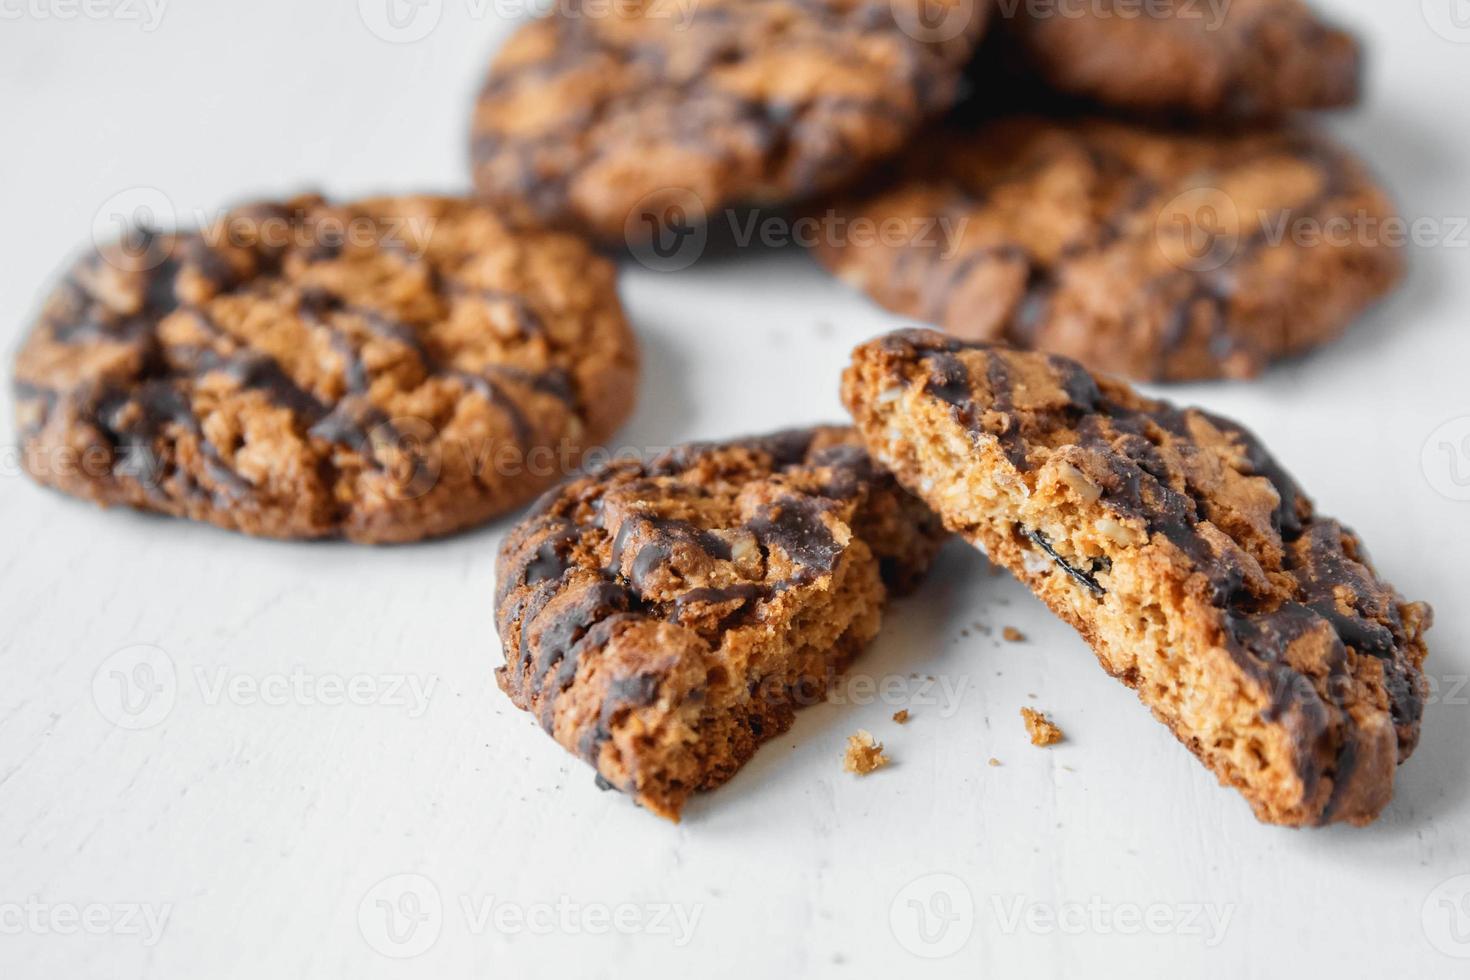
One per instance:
(1321,591)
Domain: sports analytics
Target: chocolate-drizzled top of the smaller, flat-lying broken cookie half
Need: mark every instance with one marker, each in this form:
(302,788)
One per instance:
(623,550)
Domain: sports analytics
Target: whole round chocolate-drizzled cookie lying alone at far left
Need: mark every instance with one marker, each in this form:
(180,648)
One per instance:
(384,371)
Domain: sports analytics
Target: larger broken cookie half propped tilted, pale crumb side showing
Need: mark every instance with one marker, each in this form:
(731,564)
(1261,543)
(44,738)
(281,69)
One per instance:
(1188,559)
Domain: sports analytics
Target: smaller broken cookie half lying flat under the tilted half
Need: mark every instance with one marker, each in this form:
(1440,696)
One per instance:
(662,619)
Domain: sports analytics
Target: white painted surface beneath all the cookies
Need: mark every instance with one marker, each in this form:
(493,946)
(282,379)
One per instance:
(270,829)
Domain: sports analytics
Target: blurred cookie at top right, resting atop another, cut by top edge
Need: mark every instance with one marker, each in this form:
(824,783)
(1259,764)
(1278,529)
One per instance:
(1205,60)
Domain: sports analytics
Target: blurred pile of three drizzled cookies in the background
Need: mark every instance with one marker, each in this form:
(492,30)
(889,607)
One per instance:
(1128,184)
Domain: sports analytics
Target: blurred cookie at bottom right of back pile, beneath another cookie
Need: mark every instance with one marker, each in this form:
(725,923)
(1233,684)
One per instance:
(1156,255)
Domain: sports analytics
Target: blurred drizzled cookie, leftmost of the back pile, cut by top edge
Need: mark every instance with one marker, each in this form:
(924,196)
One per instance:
(623,120)
